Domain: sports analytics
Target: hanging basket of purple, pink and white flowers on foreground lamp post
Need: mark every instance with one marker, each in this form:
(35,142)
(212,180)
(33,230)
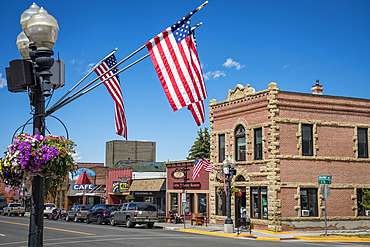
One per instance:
(32,155)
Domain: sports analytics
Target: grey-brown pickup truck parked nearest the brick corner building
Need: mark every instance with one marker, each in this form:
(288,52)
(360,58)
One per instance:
(133,213)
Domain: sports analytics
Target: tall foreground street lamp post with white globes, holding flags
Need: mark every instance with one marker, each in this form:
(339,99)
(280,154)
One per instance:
(35,43)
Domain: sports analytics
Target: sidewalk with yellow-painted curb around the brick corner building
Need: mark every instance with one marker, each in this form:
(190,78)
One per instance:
(263,235)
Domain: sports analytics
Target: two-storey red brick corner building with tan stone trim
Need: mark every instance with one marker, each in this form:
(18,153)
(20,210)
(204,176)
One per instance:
(282,141)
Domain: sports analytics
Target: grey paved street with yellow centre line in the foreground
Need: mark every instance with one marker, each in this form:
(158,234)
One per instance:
(14,231)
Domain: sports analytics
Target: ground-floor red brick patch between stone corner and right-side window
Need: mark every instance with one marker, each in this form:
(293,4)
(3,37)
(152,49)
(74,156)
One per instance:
(288,202)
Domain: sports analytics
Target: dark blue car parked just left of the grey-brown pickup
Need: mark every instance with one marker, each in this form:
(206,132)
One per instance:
(101,213)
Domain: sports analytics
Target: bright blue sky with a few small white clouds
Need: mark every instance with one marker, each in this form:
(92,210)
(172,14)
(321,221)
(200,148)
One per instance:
(240,42)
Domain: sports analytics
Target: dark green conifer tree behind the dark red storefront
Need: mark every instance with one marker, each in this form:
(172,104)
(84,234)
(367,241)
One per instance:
(201,146)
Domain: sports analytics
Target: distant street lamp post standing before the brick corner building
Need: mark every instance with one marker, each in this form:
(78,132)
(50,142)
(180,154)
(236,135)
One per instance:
(229,171)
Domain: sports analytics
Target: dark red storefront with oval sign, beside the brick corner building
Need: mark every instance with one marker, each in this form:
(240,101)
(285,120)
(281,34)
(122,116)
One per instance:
(184,195)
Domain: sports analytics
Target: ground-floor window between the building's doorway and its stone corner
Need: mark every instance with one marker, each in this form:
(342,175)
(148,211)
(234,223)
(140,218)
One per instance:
(259,202)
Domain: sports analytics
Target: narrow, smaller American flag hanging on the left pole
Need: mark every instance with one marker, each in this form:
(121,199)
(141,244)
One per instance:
(114,88)
